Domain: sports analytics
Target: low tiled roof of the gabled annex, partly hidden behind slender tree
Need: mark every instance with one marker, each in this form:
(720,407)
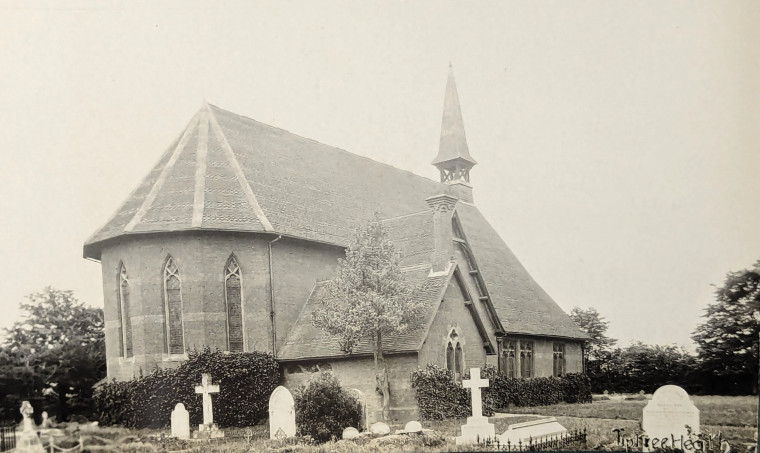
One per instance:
(308,342)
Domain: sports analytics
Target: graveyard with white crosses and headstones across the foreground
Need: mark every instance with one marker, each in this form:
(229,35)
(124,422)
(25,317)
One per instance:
(669,419)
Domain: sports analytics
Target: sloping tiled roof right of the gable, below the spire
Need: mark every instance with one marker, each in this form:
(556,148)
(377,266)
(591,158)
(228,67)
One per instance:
(522,305)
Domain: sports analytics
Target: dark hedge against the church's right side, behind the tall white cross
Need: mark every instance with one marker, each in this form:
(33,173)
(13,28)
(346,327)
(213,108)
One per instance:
(439,397)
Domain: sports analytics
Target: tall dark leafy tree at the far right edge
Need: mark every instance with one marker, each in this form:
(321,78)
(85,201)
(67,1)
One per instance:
(728,340)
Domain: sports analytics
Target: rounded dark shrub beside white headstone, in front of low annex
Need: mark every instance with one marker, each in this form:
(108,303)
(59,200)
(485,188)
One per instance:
(324,409)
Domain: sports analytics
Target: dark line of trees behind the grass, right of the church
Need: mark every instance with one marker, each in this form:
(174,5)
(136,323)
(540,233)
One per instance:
(726,362)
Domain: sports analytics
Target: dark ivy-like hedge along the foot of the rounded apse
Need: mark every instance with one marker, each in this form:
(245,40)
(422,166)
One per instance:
(246,380)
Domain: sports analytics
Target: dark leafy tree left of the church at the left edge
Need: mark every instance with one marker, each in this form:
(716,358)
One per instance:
(57,349)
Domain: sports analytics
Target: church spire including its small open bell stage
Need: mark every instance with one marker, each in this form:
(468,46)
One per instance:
(453,159)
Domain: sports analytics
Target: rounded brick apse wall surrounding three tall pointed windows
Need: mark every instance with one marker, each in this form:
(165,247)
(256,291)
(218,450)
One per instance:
(201,258)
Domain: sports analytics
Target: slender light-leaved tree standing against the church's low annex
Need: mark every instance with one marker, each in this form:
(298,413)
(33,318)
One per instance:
(369,299)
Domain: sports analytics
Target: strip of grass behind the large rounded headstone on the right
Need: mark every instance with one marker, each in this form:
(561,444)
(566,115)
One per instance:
(738,411)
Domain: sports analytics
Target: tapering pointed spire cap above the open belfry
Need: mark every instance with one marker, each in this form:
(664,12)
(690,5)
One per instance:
(453,143)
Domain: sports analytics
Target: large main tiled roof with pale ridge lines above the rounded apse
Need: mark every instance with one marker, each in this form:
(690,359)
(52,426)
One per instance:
(231,173)
